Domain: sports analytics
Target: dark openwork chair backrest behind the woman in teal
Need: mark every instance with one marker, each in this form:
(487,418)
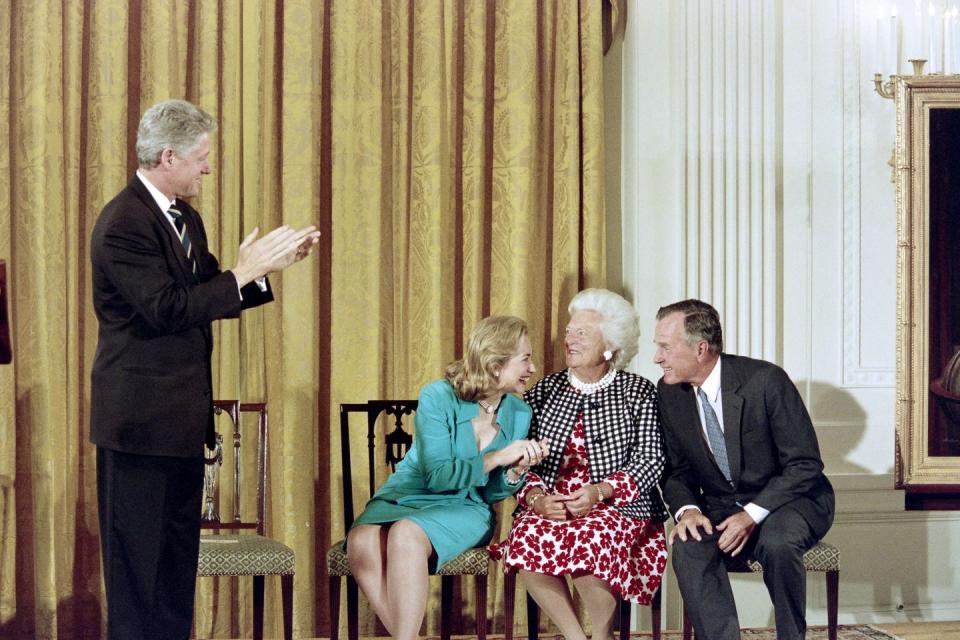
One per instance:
(397,440)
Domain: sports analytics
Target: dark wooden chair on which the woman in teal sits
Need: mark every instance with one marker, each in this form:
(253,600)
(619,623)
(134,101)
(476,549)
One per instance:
(473,562)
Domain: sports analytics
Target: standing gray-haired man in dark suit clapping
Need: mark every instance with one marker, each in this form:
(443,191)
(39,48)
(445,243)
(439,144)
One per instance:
(156,290)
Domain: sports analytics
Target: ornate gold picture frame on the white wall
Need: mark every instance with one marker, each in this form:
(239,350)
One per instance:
(927,462)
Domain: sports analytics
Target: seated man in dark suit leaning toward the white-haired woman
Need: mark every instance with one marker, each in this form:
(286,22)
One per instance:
(744,474)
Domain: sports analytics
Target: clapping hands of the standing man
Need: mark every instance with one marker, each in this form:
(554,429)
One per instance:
(273,252)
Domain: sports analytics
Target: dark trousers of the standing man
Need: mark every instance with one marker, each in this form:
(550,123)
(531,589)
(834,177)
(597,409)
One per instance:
(149,509)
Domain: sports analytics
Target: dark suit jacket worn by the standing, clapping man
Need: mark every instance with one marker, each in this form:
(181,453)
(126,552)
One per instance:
(151,382)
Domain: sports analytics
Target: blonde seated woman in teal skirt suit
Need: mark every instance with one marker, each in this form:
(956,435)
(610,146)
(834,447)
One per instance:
(470,450)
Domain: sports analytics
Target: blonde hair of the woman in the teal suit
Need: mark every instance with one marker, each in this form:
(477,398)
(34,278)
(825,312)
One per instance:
(490,346)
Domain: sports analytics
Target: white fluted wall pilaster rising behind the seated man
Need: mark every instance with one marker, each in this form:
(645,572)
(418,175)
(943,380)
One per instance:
(733,152)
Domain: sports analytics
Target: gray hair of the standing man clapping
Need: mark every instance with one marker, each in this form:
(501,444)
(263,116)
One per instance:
(172,124)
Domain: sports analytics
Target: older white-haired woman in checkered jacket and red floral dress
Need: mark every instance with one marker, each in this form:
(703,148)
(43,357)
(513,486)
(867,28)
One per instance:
(591,509)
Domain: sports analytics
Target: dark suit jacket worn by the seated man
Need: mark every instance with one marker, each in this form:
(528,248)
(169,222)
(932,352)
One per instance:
(771,446)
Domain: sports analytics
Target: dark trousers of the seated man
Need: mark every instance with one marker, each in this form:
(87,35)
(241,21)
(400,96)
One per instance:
(779,544)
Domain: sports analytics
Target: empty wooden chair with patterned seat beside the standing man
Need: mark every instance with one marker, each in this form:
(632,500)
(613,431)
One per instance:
(238,547)
